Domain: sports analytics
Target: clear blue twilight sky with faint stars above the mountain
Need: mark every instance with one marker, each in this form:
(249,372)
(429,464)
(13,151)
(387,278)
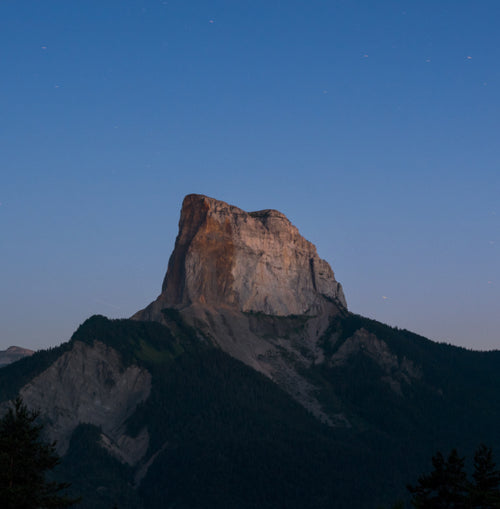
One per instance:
(373,125)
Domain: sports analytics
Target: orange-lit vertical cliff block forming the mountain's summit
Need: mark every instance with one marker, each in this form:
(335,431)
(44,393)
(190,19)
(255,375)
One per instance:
(253,262)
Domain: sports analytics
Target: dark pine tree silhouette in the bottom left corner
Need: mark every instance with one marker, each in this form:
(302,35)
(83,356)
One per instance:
(24,461)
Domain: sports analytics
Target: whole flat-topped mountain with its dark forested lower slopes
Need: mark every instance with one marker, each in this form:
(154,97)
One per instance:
(248,383)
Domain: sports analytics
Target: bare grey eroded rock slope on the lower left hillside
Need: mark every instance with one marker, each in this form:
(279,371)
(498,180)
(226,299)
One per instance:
(90,384)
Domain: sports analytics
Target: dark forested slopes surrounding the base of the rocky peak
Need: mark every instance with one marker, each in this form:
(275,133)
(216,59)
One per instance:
(223,435)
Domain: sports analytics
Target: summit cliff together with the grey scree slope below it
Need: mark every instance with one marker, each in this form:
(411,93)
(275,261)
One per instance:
(253,286)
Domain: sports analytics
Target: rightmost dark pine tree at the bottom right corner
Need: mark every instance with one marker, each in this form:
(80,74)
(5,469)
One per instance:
(485,489)
